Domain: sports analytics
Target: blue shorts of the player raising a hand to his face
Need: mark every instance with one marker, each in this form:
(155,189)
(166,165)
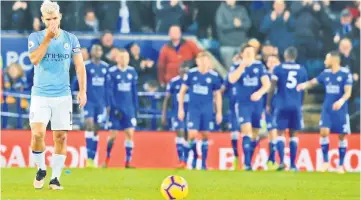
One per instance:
(249,113)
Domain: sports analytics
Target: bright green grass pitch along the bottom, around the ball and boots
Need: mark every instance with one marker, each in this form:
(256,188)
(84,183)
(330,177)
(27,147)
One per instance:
(144,184)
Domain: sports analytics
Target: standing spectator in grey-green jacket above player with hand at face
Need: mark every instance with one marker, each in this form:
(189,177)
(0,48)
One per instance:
(232,23)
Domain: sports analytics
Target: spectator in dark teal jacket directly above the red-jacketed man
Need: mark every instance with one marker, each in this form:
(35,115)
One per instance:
(167,14)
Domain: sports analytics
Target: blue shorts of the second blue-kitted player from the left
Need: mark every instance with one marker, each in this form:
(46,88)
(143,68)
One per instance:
(120,119)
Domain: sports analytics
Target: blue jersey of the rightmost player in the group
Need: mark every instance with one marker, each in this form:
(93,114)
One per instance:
(334,84)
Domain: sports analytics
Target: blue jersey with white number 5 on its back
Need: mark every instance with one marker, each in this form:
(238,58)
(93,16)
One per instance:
(288,75)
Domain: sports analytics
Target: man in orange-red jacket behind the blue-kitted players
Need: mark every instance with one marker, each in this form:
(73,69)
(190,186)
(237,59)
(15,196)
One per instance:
(172,54)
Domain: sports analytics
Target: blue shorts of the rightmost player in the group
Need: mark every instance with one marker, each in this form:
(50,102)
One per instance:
(336,121)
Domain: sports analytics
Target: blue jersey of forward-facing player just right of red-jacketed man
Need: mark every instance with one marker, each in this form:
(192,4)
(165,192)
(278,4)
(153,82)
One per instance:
(201,87)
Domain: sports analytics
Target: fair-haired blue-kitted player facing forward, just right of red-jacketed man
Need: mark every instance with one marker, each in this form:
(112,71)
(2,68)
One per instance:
(201,83)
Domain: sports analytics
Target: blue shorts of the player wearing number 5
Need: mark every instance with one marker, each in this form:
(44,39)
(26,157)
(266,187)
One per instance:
(288,118)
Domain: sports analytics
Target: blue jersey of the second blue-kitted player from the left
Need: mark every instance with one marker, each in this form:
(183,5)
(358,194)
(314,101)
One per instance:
(122,88)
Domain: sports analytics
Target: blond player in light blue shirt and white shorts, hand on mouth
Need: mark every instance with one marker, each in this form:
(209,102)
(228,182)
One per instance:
(51,51)
